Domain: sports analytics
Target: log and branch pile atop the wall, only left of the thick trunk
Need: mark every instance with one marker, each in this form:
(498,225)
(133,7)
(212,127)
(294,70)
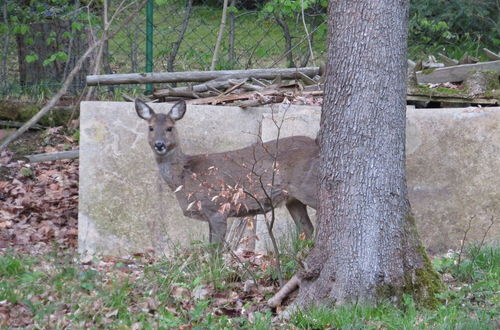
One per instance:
(243,88)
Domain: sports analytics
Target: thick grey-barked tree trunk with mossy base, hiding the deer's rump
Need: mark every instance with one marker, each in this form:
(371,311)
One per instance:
(367,247)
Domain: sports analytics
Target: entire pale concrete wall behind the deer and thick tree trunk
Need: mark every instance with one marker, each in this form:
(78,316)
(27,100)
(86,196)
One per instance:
(453,161)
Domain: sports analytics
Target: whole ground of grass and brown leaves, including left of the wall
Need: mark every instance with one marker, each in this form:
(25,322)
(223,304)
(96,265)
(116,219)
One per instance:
(45,284)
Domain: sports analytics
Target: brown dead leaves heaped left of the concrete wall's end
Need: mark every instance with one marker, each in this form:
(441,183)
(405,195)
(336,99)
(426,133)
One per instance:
(39,202)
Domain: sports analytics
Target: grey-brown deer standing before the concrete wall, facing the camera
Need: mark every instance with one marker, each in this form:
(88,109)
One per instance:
(246,182)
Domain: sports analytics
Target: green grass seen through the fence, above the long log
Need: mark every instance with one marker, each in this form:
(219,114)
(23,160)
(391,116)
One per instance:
(258,41)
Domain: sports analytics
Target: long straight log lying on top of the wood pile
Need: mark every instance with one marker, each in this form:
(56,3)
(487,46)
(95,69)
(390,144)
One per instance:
(197,76)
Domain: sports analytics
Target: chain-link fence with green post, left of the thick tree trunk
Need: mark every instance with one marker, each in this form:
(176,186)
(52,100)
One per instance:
(41,40)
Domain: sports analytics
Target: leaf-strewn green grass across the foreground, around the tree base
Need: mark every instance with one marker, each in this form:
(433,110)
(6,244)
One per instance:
(199,290)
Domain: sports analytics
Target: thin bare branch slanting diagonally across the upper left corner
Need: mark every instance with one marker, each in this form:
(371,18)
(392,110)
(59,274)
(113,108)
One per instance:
(67,82)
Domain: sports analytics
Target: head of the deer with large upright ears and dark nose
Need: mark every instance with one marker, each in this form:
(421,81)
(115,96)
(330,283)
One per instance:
(162,136)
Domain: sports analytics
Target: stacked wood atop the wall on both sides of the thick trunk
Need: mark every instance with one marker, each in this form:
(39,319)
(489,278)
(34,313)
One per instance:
(447,82)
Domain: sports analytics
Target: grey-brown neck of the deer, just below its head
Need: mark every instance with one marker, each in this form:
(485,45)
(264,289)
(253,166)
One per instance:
(171,167)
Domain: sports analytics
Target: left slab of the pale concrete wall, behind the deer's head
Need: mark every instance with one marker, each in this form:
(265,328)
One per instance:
(124,204)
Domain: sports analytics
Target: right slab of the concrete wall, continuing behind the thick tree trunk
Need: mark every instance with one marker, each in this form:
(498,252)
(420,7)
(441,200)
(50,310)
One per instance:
(453,172)
